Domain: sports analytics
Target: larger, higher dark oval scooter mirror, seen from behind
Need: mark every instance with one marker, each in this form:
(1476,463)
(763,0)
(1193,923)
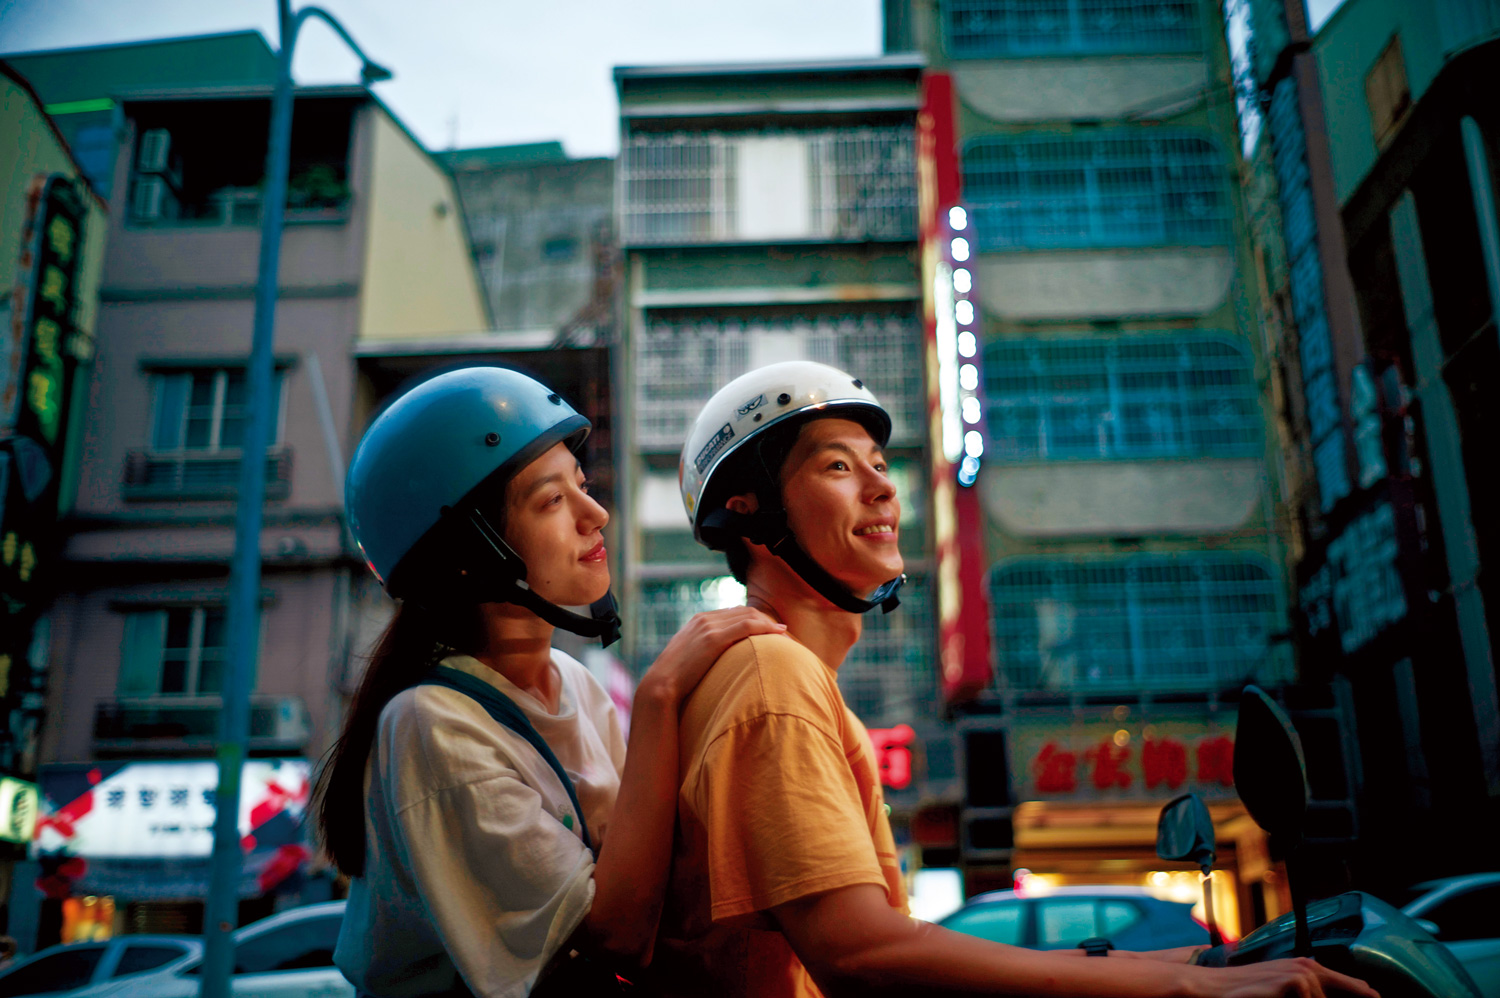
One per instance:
(1270,771)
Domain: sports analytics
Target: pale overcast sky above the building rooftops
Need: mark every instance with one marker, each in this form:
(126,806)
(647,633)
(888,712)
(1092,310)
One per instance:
(476,73)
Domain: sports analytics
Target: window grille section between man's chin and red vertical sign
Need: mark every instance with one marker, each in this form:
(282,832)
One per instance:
(889,676)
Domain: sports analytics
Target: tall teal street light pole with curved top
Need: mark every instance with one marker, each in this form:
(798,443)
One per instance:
(221,913)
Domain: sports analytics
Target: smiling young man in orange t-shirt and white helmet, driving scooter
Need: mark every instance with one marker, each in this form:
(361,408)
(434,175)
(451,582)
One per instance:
(785,874)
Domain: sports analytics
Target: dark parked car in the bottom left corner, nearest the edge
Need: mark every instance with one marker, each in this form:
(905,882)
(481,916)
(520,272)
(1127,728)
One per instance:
(97,969)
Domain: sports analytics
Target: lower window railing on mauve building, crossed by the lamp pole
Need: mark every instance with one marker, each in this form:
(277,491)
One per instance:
(191,724)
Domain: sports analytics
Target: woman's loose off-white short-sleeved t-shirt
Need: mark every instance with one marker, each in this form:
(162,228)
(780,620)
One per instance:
(473,855)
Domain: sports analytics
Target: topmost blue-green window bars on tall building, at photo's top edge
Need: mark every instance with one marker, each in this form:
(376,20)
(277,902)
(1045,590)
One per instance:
(1000,29)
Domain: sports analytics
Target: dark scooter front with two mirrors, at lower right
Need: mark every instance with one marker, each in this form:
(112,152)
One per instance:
(1355,933)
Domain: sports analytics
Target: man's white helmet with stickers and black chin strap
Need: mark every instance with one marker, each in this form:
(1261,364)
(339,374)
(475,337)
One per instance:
(725,443)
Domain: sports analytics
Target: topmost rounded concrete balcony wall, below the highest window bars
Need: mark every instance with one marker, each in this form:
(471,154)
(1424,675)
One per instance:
(1072,89)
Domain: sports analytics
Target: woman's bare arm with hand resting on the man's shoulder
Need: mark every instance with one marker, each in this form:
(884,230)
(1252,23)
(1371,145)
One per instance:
(632,871)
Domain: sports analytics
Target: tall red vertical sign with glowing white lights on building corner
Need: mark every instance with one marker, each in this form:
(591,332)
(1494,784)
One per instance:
(964,627)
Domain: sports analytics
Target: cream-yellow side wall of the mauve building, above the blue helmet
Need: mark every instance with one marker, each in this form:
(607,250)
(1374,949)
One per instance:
(419,277)
